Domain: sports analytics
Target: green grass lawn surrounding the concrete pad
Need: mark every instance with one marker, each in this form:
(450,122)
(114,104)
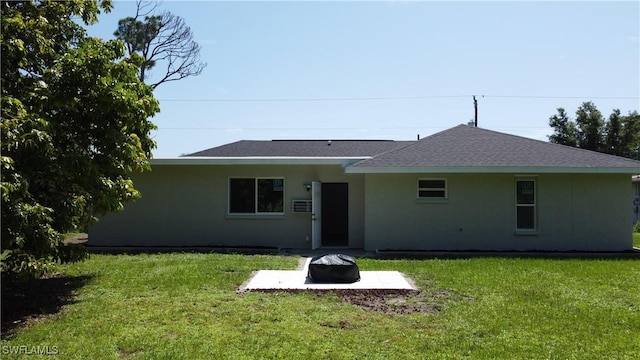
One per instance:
(185,306)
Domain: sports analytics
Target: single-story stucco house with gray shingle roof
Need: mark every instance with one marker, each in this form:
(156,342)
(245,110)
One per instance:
(464,188)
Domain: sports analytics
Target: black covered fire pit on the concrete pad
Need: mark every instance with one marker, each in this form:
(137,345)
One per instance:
(333,268)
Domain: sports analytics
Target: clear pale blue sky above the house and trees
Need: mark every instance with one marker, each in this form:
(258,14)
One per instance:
(391,70)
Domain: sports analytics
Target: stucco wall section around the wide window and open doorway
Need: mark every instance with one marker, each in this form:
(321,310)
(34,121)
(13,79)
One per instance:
(188,206)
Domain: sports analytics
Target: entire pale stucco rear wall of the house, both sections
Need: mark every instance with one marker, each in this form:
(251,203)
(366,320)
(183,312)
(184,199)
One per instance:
(187,206)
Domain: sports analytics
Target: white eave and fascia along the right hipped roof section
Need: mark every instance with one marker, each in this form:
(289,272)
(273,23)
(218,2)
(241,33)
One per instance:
(491,170)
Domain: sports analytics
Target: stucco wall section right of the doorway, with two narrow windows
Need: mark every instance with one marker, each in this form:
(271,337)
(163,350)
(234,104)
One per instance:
(574,212)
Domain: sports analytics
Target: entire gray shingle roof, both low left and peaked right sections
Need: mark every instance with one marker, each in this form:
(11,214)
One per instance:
(459,149)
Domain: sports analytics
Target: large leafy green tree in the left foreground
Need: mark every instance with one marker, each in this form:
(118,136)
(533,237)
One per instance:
(75,124)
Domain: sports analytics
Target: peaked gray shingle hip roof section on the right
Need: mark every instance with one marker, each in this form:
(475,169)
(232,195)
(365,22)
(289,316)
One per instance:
(466,146)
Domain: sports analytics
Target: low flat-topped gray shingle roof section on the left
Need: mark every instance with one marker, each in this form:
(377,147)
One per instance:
(303,148)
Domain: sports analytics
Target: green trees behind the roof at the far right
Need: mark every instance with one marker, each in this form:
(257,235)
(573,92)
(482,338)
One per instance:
(619,135)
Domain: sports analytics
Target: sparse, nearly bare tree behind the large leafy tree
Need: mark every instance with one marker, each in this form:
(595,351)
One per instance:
(164,38)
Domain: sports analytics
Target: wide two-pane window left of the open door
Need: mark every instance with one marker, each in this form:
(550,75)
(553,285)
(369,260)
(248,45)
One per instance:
(256,196)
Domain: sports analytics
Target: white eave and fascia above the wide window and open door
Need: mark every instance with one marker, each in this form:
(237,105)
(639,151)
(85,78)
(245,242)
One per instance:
(258,160)
